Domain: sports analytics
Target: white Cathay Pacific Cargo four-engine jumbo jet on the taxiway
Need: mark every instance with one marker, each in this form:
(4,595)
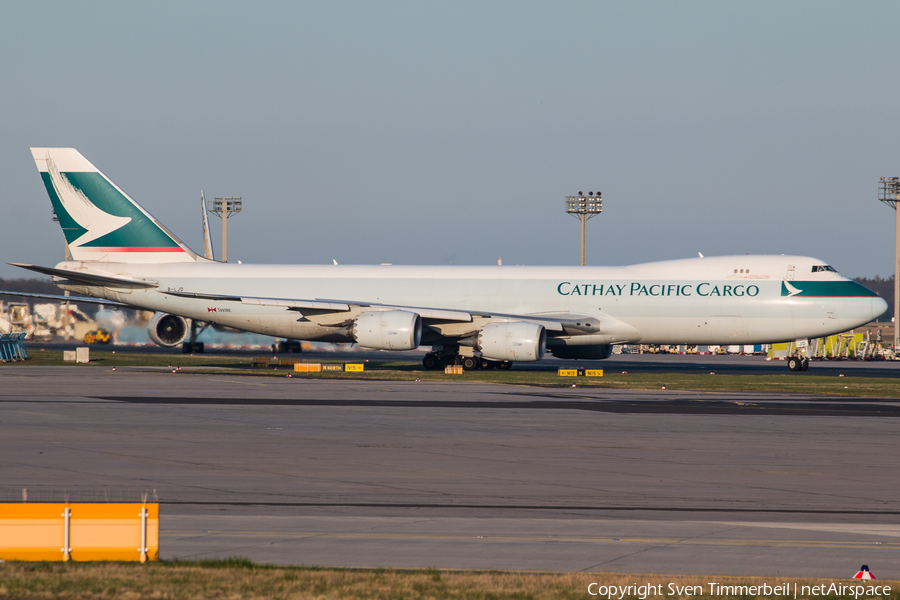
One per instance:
(479,317)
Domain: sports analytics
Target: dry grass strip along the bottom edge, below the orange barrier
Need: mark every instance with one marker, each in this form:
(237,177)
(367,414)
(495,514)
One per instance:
(241,579)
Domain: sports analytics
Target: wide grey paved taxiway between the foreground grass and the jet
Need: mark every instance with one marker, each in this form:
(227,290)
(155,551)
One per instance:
(459,475)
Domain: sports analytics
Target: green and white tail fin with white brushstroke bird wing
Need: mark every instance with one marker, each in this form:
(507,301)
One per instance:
(99,220)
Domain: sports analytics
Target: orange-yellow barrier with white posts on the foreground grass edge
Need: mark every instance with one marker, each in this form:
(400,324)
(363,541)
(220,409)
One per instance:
(79,532)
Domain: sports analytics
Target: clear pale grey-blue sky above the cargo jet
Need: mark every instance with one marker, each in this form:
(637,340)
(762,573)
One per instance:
(427,133)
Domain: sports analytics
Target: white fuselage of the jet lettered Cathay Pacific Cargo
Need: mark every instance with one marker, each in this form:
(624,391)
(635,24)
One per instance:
(714,300)
